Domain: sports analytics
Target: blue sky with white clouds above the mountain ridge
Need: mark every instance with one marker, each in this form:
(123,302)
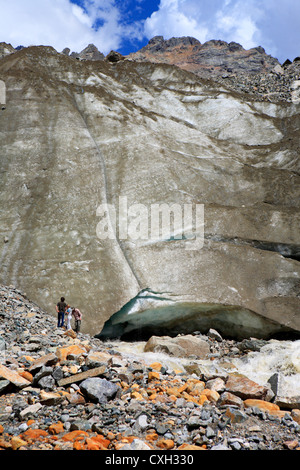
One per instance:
(127,25)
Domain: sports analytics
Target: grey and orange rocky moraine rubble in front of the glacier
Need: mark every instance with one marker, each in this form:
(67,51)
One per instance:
(62,391)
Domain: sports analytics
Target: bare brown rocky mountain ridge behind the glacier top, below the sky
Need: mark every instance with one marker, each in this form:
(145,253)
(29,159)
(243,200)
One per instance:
(248,71)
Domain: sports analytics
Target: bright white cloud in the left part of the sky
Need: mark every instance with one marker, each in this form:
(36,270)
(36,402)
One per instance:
(61,24)
